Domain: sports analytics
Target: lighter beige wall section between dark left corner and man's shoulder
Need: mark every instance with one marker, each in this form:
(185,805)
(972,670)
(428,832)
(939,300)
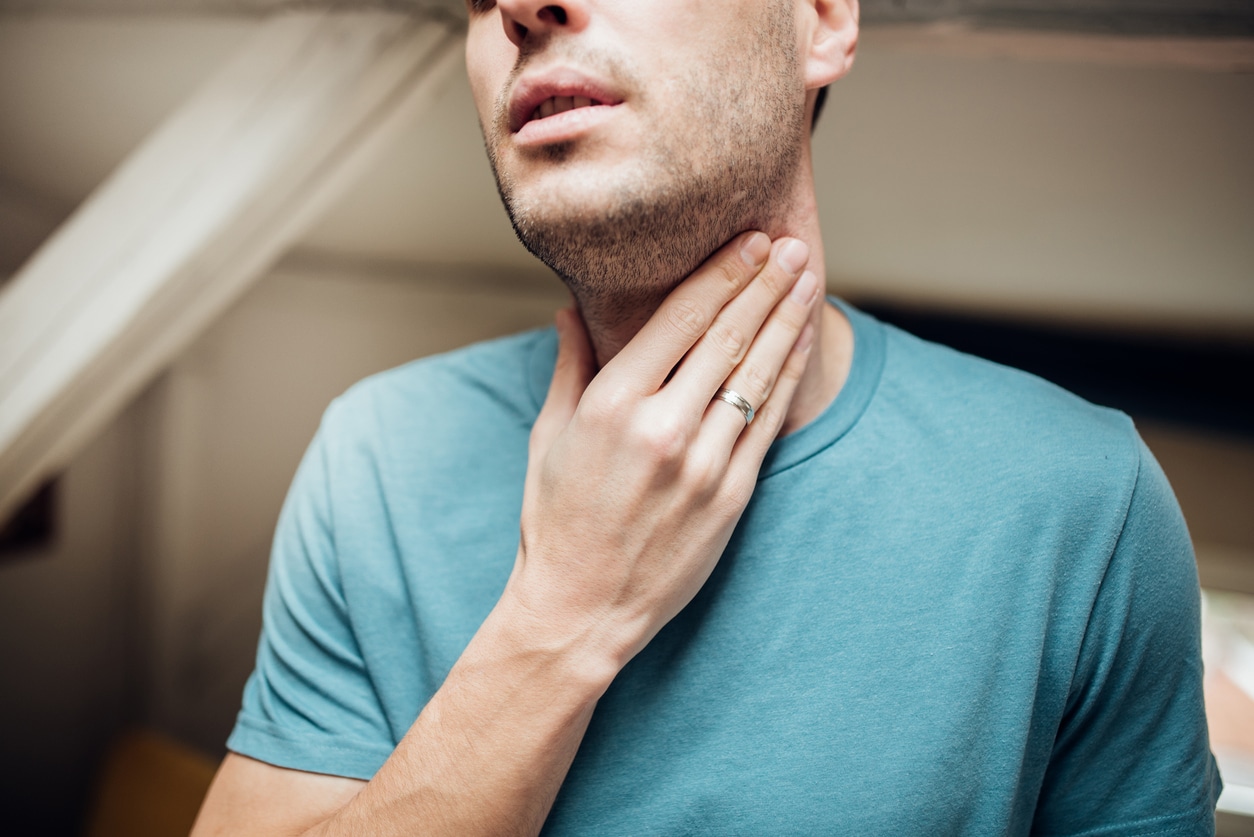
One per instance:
(229,425)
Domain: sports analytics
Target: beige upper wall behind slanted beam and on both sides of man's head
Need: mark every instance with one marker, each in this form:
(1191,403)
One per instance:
(1064,185)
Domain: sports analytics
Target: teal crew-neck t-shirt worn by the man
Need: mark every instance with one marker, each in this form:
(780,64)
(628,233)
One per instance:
(961,602)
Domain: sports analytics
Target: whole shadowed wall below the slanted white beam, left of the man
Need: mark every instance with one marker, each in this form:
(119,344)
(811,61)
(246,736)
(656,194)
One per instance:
(147,608)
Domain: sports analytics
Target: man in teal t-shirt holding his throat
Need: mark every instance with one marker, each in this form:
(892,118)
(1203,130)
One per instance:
(917,594)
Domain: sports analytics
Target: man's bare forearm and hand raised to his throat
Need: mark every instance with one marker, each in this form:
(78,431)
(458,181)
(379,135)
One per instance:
(634,486)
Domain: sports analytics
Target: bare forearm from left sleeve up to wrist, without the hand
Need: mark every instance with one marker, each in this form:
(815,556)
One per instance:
(486,756)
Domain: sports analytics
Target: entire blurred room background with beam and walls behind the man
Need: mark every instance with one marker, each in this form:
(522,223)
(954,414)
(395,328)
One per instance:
(215,216)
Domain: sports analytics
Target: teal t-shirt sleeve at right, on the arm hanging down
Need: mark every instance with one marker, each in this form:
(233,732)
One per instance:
(1132,756)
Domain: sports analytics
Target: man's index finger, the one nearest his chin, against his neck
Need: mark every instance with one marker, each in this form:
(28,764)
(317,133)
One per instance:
(688,313)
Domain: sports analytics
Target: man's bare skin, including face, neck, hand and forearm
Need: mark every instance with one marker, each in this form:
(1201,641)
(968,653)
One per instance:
(604,565)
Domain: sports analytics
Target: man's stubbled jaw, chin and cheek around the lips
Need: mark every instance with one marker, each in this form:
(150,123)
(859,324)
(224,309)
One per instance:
(742,129)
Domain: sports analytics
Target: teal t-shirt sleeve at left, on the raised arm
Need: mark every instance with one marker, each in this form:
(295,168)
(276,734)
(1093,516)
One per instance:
(310,705)
